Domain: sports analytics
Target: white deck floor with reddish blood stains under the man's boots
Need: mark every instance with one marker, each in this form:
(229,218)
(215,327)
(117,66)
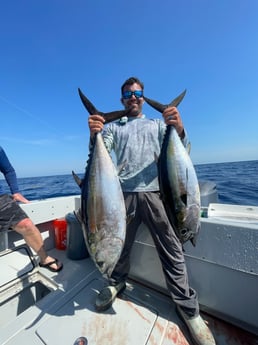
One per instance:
(139,316)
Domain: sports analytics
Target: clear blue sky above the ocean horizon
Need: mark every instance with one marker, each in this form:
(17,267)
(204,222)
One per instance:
(50,48)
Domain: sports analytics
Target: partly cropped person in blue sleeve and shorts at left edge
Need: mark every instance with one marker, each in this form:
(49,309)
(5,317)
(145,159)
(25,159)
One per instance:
(13,217)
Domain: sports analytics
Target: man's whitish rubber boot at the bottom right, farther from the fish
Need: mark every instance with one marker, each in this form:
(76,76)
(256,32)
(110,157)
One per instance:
(198,329)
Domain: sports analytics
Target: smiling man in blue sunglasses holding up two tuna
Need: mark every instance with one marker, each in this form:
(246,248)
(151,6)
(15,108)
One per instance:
(136,140)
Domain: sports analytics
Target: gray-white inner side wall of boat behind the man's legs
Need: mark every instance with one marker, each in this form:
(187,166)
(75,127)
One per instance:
(223,268)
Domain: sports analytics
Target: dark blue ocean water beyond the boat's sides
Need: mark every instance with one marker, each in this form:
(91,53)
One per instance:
(237,183)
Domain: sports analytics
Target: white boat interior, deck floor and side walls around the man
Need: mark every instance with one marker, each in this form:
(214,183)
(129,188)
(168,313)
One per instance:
(40,307)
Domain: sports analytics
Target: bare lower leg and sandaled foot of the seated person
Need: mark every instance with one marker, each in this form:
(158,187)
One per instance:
(33,238)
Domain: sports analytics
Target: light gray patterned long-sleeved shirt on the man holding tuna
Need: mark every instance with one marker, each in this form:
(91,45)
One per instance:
(136,143)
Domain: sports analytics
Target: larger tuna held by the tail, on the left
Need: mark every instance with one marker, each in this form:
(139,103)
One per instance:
(102,213)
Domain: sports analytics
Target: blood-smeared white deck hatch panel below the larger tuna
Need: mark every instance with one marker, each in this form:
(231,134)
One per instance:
(125,323)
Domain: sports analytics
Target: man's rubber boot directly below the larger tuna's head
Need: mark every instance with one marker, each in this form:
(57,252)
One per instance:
(107,296)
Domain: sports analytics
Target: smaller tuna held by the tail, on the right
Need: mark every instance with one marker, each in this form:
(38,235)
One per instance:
(178,181)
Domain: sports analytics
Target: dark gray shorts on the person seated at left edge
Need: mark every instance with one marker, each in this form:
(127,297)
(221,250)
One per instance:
(10,212)
